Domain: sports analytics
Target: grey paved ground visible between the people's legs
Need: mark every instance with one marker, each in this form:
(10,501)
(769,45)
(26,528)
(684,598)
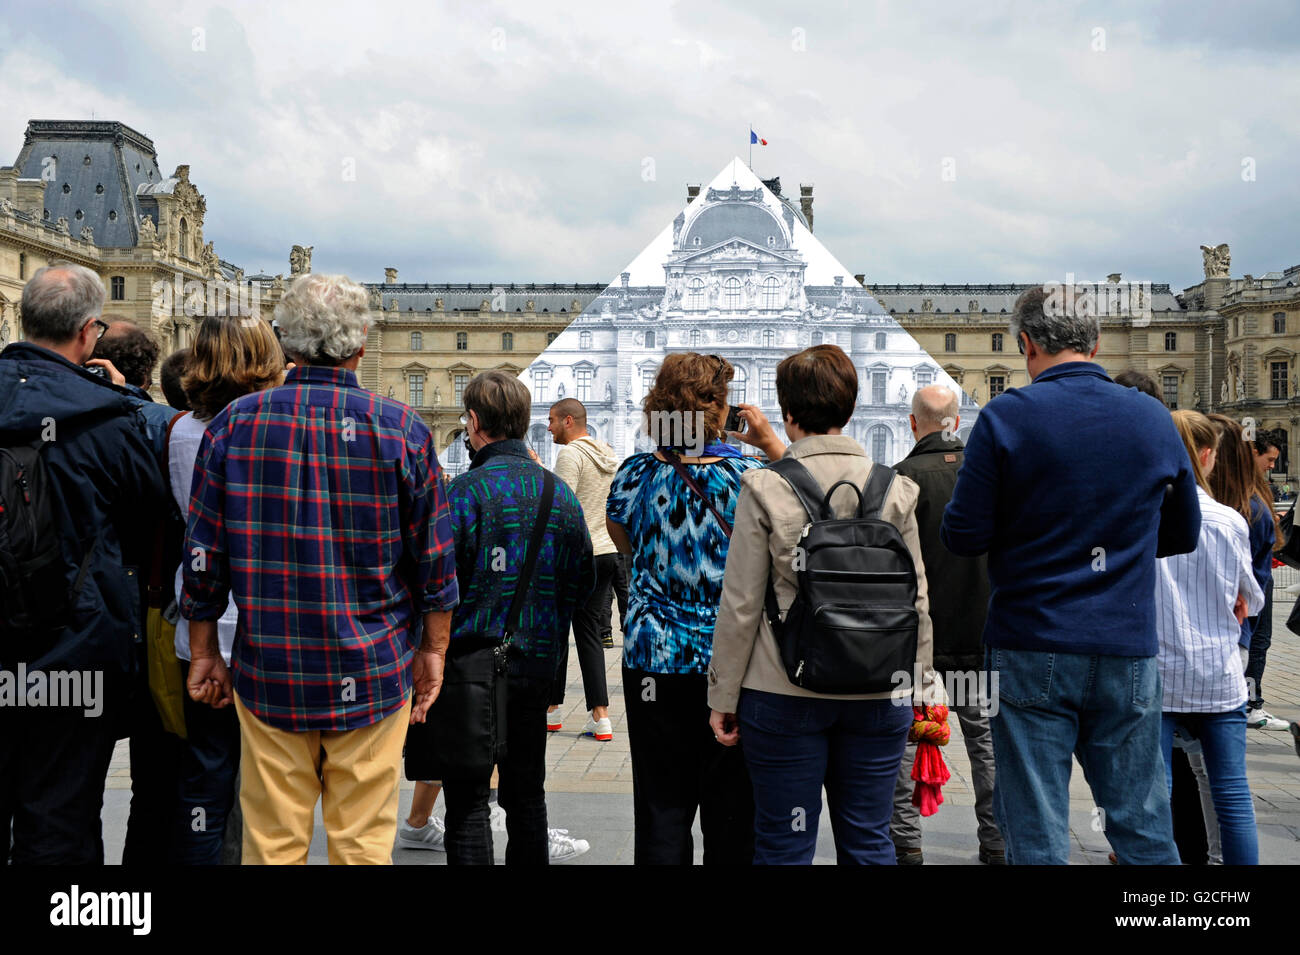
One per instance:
(590,784)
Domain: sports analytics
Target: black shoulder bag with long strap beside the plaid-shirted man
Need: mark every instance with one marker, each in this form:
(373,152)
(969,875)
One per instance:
(463,736)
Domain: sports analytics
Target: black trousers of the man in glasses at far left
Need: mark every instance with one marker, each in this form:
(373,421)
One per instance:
(54,762)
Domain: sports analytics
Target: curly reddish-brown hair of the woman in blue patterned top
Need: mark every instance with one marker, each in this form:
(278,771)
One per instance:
(688,384)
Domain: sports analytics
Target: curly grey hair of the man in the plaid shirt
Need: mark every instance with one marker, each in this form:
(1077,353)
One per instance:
(323,319)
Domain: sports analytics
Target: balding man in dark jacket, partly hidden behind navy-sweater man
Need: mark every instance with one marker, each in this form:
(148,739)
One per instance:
(959,602)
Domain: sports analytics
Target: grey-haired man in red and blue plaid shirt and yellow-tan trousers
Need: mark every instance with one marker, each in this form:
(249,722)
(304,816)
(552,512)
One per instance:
(320,506)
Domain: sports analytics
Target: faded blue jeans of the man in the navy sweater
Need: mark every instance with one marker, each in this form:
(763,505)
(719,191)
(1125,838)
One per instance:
(1104,710)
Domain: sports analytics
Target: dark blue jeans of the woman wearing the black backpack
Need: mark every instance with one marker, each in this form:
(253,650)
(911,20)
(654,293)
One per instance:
(794,746)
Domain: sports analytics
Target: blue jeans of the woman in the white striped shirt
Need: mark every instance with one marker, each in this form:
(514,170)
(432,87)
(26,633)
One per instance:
(1223,739)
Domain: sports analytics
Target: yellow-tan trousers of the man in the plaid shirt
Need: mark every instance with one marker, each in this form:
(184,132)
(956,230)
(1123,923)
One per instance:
(356,774)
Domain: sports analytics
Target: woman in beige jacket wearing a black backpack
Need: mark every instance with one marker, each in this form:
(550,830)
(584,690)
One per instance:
(824,698)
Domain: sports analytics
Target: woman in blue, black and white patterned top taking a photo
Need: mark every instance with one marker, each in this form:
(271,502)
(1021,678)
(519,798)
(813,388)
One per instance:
(679,552)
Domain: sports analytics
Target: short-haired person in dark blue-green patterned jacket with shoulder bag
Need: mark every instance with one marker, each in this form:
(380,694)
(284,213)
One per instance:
(495,507)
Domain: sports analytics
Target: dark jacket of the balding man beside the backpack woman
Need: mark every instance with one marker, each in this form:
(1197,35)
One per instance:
(959,587)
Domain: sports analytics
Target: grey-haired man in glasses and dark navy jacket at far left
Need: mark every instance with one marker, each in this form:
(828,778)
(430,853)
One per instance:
(102,477)
